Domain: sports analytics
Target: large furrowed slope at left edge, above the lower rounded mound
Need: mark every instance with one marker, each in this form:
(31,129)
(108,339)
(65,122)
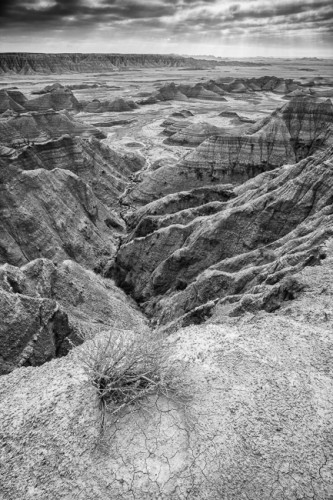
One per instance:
(56,199)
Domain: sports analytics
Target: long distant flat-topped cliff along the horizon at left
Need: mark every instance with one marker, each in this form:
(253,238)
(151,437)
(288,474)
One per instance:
(28,64)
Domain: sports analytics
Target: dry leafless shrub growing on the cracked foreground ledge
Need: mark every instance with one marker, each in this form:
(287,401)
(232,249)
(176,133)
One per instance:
(126,368)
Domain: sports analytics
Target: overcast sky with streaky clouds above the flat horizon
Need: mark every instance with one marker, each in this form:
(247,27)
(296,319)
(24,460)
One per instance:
(230,28)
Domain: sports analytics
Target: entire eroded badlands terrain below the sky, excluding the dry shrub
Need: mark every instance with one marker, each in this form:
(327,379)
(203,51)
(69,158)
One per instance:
(181,199)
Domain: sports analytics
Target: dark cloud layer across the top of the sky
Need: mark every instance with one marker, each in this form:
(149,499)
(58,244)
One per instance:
(175,16)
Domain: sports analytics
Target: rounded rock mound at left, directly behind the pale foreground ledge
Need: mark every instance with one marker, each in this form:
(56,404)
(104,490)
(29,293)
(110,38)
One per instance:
(44,307)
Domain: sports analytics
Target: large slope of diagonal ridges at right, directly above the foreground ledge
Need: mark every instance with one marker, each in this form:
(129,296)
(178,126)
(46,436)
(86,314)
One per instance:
(275,225)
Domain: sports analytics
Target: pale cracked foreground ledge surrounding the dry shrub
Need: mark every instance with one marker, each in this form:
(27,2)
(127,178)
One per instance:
(264,380)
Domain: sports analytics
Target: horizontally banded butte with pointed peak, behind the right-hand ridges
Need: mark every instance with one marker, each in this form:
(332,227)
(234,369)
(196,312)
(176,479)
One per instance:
(299,128)
